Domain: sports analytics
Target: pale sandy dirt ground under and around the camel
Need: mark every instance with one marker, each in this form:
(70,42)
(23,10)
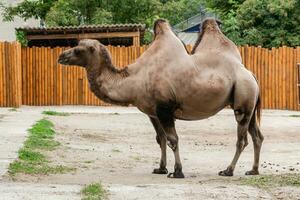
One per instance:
(120,151)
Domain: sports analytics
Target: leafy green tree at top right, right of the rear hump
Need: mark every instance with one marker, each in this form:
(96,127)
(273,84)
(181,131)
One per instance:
(268,23)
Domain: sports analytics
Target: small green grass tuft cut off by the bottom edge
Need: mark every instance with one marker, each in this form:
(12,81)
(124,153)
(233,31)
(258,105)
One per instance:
(93,191)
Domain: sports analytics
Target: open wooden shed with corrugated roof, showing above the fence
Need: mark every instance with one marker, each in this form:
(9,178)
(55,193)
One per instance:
(115,34)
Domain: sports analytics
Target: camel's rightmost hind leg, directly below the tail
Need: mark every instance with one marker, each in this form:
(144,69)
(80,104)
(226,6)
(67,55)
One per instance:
(257,139)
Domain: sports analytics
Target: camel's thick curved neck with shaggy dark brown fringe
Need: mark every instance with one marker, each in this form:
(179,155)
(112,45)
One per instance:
(110,84)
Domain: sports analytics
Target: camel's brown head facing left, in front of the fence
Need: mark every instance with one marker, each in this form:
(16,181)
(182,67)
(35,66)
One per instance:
(81,55)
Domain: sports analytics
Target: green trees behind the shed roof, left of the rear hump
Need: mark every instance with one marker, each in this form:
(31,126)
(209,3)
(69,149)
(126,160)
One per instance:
(74,12)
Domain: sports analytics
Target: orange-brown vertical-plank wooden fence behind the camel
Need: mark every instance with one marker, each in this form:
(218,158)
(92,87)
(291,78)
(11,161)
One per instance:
(32,76)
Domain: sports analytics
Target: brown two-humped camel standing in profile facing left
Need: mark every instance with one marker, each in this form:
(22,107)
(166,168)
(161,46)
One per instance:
(166,83)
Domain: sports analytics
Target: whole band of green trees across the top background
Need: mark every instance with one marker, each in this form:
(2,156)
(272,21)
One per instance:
(268,23)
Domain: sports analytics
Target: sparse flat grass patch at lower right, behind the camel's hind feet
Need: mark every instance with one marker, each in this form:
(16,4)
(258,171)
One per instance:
(268,181)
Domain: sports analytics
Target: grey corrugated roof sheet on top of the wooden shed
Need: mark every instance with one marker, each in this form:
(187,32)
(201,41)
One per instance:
(84,29)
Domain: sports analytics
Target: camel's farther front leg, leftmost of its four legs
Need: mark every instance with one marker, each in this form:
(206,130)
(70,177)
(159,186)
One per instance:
(161,140)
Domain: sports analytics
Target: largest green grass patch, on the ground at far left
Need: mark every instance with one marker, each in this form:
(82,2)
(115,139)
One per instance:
(31,158)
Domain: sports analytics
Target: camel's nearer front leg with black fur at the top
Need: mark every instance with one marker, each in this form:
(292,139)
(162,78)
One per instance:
(165,116)
